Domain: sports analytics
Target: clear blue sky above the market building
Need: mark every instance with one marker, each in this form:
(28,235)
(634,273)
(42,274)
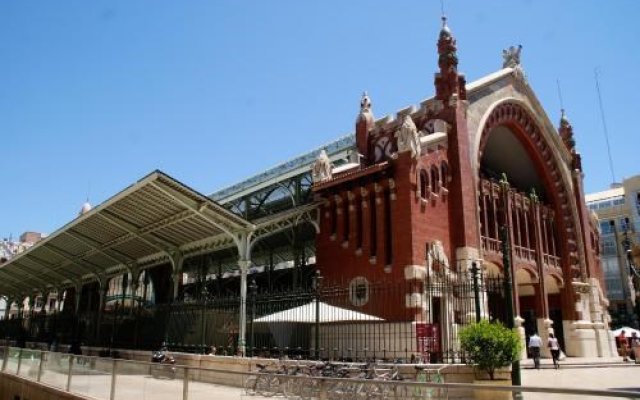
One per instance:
(96,94)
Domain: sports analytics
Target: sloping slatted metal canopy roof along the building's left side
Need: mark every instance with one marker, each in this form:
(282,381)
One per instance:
(142,225)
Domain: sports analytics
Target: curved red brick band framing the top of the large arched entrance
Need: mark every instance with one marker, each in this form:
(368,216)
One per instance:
(546,153)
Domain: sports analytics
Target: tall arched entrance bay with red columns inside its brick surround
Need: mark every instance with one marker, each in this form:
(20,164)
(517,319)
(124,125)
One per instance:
(536,208)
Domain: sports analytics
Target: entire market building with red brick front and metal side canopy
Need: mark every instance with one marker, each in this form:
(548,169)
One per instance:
(397,218)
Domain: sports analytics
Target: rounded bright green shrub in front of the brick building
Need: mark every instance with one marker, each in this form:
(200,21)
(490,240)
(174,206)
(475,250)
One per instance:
(489,346)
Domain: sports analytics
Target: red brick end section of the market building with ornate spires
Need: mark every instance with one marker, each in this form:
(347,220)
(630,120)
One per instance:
(379,217)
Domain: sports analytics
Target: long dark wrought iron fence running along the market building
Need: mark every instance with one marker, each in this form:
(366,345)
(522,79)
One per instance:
(415,320)
